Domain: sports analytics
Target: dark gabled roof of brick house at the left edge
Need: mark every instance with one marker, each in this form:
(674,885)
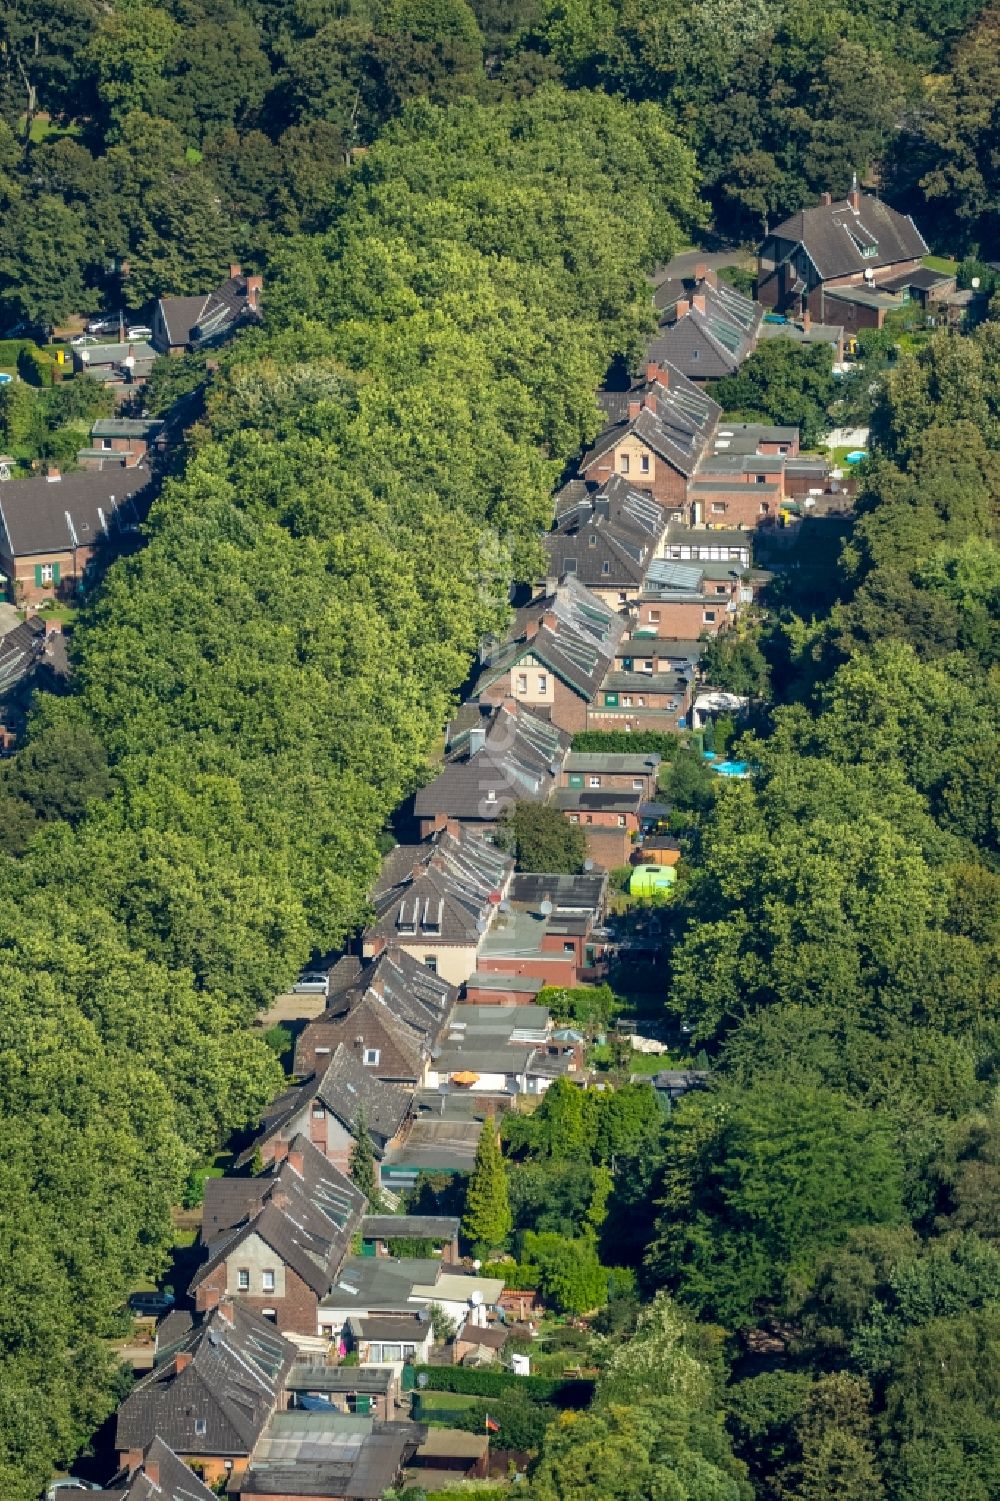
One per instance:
(56,516)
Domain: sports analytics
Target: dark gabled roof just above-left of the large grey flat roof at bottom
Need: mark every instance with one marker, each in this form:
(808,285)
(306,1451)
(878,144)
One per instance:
(215,1395)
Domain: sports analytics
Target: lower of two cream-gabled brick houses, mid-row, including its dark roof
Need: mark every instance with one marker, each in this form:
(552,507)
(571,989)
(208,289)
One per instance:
(556,655)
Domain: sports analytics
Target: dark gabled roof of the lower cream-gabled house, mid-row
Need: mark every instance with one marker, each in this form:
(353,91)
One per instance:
(571,631)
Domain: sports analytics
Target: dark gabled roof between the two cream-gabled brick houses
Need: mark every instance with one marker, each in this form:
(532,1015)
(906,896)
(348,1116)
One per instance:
(607,538)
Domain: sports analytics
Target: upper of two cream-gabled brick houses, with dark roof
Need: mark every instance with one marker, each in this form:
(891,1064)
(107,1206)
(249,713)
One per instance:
(658,444)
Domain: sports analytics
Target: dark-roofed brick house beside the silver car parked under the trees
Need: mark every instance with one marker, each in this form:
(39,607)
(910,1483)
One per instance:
(393,1003)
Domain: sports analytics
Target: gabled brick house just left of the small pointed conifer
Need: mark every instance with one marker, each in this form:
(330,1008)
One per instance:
(325,1108)
